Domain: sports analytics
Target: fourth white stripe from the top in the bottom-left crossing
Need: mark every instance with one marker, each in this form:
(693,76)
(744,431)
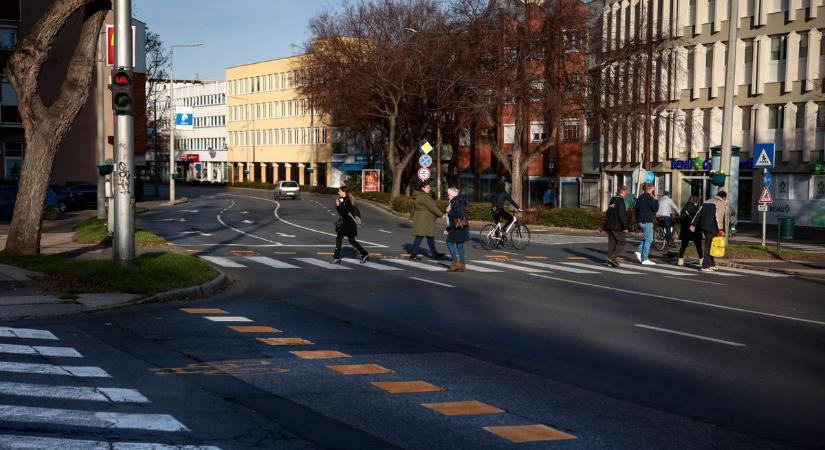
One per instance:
(81,393)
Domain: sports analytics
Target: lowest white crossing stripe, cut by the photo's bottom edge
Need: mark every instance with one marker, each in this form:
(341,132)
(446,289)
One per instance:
(16,442)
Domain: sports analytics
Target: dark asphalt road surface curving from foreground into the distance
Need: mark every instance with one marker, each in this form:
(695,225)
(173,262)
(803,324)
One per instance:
(636,358)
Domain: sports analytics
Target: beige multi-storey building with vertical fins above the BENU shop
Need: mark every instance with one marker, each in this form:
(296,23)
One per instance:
(780,63)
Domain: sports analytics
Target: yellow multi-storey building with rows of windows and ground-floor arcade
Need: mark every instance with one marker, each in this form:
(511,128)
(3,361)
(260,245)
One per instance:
(272,133)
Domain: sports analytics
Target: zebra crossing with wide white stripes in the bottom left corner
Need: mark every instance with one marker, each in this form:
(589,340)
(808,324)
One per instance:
(74,386)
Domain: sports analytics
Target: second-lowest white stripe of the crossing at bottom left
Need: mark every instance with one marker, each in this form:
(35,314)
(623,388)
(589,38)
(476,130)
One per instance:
(92,419)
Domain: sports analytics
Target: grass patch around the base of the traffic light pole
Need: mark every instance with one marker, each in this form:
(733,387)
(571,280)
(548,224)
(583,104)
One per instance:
(152,273)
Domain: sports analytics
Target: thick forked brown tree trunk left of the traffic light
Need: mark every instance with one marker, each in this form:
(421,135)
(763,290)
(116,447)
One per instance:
(46,125)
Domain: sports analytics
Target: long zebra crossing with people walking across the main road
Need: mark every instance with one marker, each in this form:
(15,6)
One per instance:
(480,266)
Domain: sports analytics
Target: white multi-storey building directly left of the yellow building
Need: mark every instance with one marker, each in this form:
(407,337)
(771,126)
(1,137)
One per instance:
(202,152)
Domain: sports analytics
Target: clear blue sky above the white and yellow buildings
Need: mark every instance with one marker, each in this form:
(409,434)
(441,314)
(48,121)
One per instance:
(232,32)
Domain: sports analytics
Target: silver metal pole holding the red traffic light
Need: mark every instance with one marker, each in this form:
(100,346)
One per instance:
(123,250)
